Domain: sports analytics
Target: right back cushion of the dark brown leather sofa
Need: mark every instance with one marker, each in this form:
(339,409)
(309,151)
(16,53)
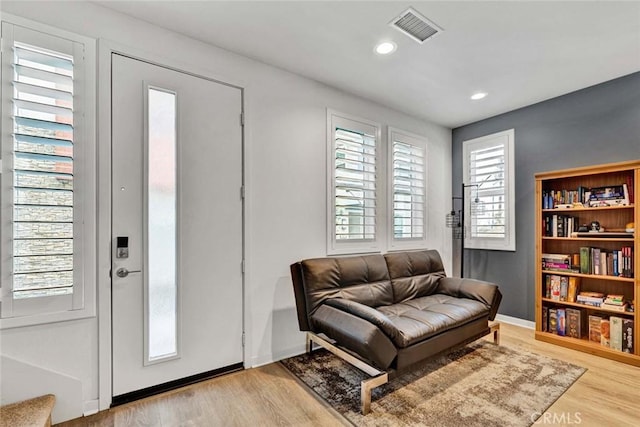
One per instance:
(414,274)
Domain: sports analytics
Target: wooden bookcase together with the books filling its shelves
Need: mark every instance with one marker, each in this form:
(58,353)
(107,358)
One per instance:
(618,253)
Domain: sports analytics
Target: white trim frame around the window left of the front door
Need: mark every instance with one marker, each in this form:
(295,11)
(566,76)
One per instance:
(84,304)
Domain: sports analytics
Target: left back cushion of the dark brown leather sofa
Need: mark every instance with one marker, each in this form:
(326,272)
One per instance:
(364,279)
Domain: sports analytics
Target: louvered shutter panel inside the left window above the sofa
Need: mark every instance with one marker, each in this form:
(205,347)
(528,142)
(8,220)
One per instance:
(355,185)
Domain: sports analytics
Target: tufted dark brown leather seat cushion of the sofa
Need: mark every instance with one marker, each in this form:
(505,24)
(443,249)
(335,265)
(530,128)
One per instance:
(424,317)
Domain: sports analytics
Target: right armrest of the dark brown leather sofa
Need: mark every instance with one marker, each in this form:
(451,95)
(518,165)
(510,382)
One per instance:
(485,292)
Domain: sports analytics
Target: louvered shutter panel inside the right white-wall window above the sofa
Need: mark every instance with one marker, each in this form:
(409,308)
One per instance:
(408,190)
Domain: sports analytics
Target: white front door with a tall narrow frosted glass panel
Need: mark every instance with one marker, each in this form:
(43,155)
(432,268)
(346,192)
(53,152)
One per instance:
(177,226)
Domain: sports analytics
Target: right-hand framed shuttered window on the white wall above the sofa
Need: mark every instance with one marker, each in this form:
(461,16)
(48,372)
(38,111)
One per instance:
(407,195)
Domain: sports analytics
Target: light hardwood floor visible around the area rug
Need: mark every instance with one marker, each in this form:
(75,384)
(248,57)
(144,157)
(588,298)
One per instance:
(608,394)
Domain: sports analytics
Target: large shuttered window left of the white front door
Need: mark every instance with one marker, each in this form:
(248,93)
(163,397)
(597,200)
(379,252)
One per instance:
(43,226)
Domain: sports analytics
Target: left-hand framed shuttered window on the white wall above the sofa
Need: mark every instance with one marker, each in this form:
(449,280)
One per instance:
(353,166)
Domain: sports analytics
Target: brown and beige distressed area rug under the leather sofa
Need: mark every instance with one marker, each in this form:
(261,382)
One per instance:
(481,384)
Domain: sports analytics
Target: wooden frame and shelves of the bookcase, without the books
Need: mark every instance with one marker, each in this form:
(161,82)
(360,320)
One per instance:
(612,218)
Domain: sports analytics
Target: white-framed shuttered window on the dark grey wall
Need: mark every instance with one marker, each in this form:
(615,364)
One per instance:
(489,202)
